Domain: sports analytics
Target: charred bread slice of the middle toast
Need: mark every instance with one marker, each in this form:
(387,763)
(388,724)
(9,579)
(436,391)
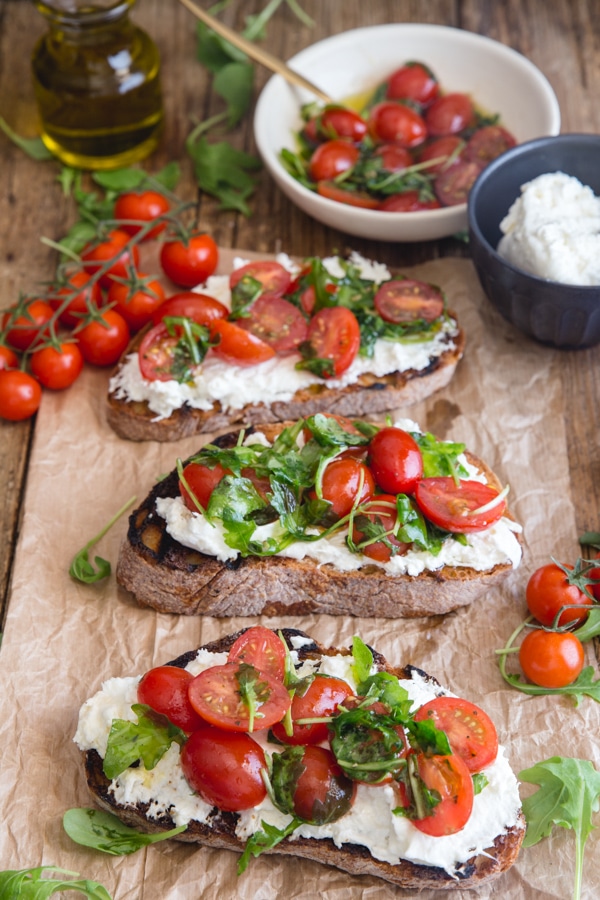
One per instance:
(166,576)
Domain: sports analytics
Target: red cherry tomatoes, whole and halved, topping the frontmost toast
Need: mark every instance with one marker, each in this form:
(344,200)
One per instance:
(223,762)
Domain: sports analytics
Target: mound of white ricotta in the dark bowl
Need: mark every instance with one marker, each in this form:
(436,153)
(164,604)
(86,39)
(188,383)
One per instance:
(552,230)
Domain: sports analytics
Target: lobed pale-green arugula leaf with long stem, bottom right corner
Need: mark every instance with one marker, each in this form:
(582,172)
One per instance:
(569,792)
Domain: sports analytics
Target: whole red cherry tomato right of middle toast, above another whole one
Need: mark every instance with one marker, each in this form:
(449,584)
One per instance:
(548,590)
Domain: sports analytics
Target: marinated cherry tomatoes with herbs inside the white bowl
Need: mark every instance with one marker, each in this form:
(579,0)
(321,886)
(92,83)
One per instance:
(416,125)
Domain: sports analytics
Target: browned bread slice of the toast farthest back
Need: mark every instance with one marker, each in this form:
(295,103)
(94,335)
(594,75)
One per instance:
(134,421)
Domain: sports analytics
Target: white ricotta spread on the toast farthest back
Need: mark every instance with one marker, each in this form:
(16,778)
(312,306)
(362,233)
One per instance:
(277,379)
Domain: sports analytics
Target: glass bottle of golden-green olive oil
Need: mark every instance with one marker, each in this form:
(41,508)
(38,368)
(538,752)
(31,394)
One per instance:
(97,83)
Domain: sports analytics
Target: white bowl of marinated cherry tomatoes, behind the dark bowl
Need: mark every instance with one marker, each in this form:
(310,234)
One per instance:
(417,113)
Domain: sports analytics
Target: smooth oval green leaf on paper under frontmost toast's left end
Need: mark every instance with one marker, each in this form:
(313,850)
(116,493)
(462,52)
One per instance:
(104,831)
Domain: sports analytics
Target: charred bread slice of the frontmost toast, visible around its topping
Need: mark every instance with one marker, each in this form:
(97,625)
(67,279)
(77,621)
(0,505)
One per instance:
(354,859)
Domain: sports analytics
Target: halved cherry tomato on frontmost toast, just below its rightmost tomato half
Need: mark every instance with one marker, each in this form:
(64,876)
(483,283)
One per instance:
(449,776)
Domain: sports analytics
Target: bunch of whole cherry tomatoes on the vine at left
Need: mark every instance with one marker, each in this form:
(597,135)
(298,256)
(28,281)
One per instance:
(89,315)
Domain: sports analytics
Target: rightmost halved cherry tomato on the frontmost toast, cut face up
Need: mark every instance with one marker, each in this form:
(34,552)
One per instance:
(470,731)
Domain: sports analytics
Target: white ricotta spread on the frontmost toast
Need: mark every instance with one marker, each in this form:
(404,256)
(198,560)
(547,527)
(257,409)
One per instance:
(370,822)
